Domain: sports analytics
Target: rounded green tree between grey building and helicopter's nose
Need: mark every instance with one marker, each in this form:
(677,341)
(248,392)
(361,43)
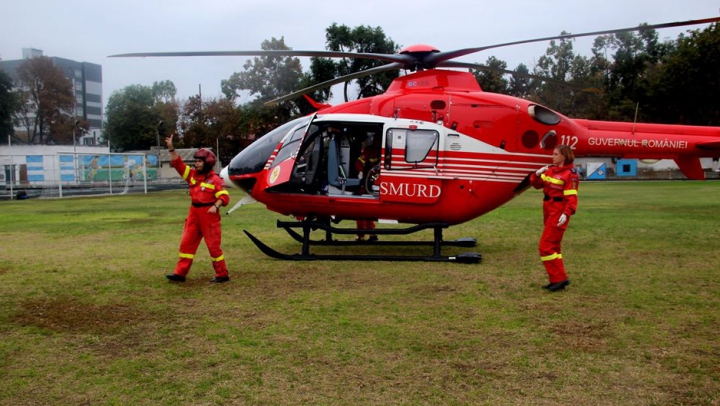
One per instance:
(132,118)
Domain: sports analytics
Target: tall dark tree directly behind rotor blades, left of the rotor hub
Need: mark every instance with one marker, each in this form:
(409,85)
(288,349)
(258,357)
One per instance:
(360,39)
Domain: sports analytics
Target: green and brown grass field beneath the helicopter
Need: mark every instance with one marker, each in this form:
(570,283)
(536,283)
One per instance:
(88,318)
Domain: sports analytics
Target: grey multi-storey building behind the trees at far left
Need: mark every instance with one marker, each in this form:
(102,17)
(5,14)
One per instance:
(86,78)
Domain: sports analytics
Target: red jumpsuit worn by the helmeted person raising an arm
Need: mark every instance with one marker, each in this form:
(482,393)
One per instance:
(205,190)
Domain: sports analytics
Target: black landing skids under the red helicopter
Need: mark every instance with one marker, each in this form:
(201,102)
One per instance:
(469,257)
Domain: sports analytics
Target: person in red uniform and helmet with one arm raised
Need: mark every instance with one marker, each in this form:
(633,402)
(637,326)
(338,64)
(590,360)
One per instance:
(208,194)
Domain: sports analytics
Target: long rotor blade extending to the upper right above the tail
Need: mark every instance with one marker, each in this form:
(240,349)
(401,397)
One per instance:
(434,59)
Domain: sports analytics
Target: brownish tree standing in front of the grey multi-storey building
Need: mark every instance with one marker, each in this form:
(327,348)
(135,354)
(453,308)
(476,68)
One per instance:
(46,97)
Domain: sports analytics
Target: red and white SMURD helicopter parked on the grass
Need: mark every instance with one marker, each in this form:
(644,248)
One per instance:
(449,152)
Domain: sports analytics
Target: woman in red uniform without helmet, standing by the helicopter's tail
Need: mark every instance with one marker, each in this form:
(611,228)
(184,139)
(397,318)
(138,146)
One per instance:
(560,184)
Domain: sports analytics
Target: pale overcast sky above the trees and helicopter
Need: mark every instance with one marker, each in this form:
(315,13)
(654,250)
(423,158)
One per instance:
(89,31)
